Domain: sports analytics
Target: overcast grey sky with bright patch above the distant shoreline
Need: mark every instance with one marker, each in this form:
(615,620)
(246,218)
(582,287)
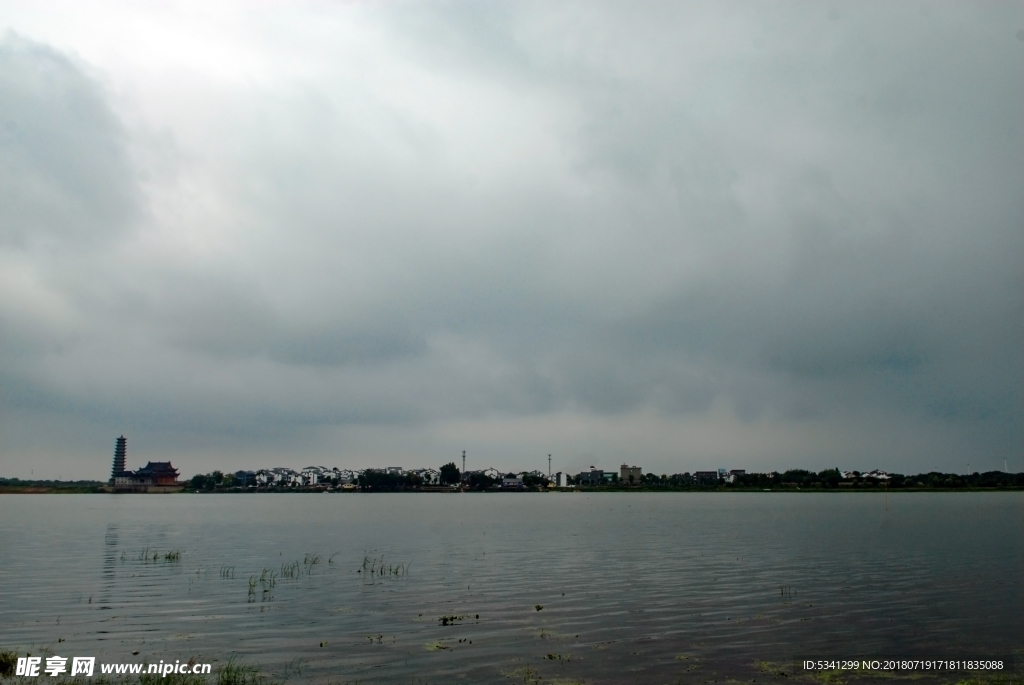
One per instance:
(680,235)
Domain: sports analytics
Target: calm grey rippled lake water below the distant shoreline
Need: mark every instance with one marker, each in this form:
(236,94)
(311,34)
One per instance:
(634,588)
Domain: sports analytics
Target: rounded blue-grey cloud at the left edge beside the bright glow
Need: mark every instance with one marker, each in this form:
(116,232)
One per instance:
(66,177)
